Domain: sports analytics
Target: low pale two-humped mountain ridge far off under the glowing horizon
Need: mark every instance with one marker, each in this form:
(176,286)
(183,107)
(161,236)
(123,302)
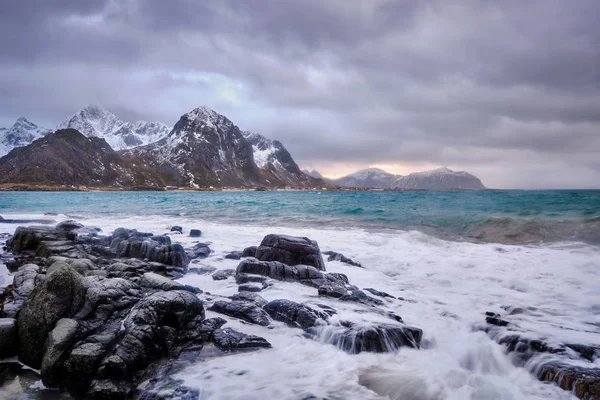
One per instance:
(436,179)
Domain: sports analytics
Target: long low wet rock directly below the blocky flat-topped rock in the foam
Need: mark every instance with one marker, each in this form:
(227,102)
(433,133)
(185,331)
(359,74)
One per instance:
(304,274)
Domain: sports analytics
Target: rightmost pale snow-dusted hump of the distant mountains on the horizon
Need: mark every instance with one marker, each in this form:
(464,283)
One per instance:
(440,178)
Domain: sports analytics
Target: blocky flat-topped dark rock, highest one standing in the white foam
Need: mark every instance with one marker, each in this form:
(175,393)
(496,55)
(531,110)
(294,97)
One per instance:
(290,250)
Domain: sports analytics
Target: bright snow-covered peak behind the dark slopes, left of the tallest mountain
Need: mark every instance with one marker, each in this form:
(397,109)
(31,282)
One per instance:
(95,121)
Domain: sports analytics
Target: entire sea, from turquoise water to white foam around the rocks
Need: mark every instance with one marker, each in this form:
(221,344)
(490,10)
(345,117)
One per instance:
(449,256)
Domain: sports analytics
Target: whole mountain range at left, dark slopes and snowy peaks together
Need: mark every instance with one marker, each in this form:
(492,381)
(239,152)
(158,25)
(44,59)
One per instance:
(204,148)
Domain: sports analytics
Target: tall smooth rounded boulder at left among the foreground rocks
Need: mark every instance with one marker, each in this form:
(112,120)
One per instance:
(60,296)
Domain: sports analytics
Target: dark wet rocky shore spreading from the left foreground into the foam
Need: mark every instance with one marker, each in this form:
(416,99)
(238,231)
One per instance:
(101,316)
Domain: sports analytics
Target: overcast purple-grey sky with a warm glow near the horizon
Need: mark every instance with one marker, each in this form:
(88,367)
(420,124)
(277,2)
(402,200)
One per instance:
(507,90)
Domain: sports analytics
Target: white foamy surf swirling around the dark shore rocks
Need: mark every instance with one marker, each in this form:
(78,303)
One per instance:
(446,286)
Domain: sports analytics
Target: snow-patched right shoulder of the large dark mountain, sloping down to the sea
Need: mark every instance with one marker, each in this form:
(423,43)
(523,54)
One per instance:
(272,158)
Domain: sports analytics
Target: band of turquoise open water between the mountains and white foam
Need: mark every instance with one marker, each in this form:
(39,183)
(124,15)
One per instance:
(480,216)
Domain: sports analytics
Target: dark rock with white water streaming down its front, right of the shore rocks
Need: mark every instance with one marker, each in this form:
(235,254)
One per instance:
(377,339)
